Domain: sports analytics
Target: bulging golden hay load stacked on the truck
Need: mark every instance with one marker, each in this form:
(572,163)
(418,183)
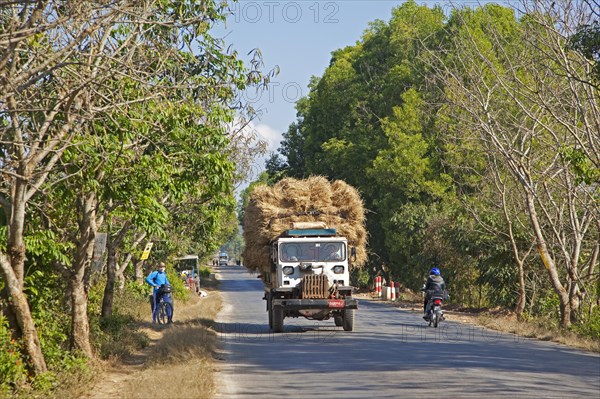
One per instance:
(272,210)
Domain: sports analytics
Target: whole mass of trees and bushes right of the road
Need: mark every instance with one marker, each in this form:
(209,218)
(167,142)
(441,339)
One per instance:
(472,134)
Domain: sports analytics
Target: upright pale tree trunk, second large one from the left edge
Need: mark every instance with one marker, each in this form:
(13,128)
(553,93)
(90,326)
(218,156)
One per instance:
(80,329)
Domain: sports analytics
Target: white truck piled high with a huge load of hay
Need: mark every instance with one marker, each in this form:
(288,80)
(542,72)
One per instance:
(303,237)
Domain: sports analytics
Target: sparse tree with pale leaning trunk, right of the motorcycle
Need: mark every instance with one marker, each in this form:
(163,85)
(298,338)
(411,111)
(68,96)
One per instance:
(527,100)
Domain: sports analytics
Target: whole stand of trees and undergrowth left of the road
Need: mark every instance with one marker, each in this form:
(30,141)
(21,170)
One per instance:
(117,131)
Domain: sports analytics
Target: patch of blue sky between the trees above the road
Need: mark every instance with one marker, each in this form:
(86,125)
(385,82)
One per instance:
(297,36)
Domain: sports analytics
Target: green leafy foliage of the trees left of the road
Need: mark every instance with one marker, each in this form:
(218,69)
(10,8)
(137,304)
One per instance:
(152,154)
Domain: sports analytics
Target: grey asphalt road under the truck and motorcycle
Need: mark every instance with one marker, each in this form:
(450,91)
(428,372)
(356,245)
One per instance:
(391,354)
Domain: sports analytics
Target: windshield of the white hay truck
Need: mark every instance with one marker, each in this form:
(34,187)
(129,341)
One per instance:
(312,251)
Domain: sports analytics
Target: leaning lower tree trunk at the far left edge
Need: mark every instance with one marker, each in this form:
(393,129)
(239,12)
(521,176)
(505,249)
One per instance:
(22,312)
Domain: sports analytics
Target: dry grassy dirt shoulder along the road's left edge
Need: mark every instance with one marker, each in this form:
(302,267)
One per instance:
(180,356)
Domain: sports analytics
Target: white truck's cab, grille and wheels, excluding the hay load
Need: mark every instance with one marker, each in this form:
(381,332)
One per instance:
(309,277)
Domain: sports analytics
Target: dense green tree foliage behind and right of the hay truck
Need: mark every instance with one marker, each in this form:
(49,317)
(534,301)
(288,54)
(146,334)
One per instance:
(391,116)
